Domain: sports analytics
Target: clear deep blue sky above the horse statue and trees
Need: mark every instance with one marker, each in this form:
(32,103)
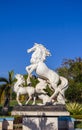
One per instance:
(57,24)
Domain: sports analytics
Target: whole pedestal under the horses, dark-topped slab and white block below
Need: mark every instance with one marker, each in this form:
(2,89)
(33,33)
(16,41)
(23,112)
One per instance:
(43,117)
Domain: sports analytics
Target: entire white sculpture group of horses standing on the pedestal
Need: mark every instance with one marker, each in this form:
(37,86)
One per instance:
(46,76)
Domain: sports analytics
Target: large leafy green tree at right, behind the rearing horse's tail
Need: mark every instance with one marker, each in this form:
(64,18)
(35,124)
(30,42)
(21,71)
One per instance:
(72,70)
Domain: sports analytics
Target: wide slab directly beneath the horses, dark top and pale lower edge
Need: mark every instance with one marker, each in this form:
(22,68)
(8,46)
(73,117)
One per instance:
(51,110)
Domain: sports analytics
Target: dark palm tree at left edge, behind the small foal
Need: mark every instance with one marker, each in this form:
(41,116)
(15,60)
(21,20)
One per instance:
(6,87)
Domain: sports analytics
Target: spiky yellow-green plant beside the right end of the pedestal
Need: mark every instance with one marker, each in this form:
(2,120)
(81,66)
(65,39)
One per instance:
(74,108)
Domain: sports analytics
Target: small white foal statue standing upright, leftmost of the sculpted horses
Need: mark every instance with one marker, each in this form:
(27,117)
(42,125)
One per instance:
(19,89)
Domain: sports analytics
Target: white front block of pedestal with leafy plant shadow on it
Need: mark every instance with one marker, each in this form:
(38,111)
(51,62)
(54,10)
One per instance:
(40,123)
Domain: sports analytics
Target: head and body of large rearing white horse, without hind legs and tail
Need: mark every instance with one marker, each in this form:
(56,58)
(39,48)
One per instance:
(37,64)
